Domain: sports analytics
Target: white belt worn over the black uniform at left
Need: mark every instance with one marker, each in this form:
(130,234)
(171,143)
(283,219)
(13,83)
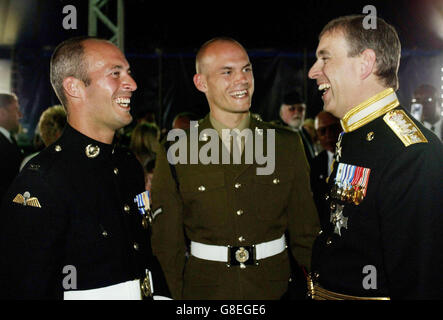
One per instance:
(129,290)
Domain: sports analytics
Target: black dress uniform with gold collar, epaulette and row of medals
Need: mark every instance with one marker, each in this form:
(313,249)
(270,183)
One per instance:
(385,199)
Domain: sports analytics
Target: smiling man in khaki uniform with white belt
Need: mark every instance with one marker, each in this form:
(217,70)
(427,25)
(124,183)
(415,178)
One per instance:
(232,218)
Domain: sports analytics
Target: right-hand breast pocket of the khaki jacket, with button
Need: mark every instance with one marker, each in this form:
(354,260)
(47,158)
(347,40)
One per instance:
(272,192)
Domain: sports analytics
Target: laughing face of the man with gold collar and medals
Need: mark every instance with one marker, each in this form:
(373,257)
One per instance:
(337,75)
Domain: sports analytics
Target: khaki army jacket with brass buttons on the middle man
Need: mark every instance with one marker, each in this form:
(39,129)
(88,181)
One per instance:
(229,204)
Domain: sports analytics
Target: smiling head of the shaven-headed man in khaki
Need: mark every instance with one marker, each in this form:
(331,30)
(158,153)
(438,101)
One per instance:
(225,76)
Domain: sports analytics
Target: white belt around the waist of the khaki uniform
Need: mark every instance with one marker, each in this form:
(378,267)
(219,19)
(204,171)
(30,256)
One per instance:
(222,253)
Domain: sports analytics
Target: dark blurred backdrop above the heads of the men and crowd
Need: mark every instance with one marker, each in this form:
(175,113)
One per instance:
(161,39)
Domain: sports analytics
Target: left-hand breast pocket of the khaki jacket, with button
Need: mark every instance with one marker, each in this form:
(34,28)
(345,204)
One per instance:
(204,197)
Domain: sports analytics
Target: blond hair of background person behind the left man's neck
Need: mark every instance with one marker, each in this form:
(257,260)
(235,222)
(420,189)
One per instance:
(51,124)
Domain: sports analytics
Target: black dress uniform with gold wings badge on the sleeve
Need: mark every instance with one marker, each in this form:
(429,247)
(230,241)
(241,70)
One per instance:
(69,224)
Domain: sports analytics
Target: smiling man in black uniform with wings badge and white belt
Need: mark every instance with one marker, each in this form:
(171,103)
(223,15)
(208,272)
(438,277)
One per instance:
(74,224)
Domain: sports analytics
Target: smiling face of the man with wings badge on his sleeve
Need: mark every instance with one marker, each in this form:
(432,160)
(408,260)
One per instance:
(107,97)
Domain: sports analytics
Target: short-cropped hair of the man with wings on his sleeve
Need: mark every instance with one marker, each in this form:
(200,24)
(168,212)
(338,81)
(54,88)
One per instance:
(68,60)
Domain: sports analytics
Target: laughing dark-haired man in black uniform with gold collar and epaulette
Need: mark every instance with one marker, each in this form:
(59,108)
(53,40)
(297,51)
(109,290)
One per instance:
(385,194)
